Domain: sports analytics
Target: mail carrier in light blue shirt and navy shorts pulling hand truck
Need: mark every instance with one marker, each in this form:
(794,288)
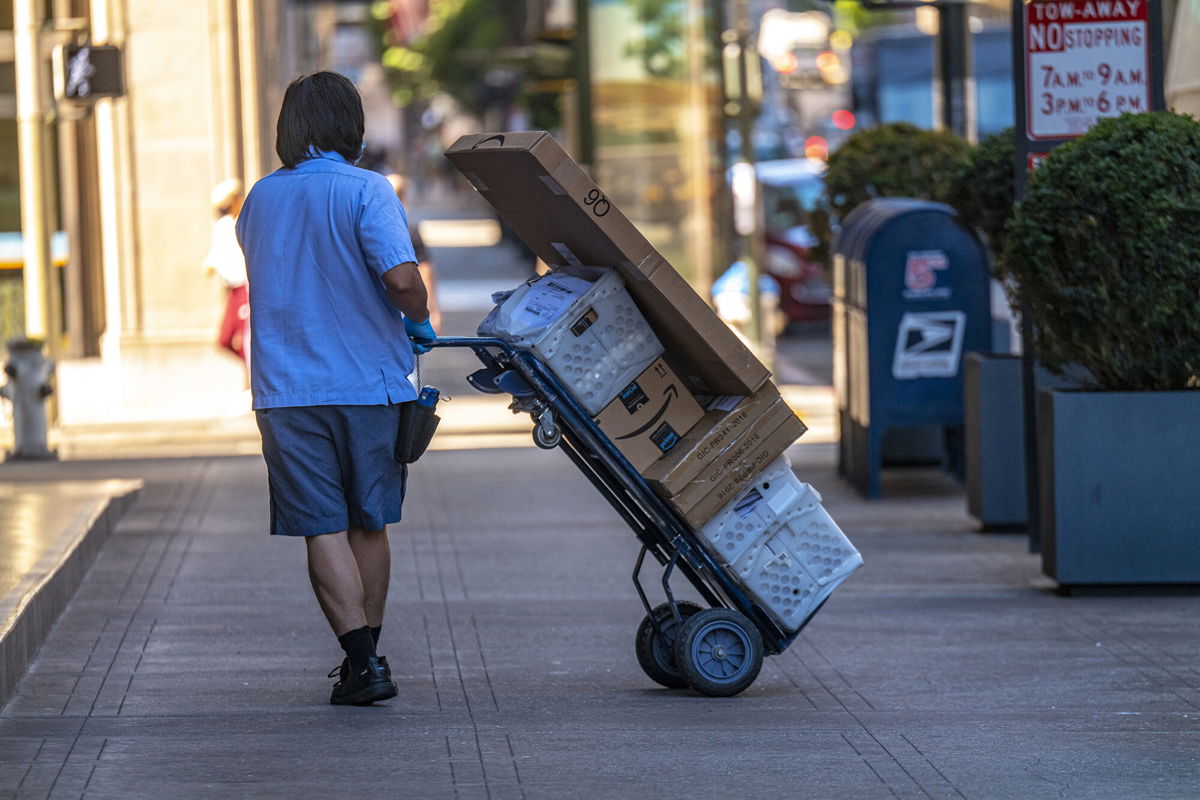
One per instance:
(339,310)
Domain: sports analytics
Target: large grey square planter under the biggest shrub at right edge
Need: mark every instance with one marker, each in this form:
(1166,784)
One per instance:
(1119,483)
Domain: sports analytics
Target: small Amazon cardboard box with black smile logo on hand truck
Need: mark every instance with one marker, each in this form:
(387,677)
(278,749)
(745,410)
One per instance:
(650,417)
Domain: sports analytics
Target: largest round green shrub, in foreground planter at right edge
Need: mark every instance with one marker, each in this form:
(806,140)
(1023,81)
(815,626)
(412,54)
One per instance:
(1106,254)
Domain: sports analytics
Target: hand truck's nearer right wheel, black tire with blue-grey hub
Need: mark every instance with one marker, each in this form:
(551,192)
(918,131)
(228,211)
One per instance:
(729,673)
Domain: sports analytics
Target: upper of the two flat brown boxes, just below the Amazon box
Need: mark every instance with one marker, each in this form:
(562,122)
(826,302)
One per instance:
(712,440)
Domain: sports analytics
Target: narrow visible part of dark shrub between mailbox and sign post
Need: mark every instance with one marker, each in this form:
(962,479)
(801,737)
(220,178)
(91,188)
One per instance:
(985,193)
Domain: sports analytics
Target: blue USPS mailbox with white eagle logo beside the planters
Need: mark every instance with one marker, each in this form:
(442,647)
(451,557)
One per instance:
(911,296)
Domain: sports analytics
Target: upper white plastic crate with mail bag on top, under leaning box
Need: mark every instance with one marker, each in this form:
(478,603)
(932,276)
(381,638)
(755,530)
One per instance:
(593,338)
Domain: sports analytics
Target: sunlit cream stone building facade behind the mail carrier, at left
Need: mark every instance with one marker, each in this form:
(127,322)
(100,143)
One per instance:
(130,178)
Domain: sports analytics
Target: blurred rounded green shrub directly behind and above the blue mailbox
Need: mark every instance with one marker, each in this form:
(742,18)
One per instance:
(892,160)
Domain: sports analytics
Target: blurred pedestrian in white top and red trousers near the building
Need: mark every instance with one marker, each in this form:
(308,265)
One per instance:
(226,260)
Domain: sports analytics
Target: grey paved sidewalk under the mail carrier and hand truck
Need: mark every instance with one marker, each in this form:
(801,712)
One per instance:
(193,660)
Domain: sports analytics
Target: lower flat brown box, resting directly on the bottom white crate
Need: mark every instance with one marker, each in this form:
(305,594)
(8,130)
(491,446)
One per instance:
(751,453)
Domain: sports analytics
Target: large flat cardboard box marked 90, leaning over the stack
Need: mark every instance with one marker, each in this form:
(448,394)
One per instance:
(565,218)
